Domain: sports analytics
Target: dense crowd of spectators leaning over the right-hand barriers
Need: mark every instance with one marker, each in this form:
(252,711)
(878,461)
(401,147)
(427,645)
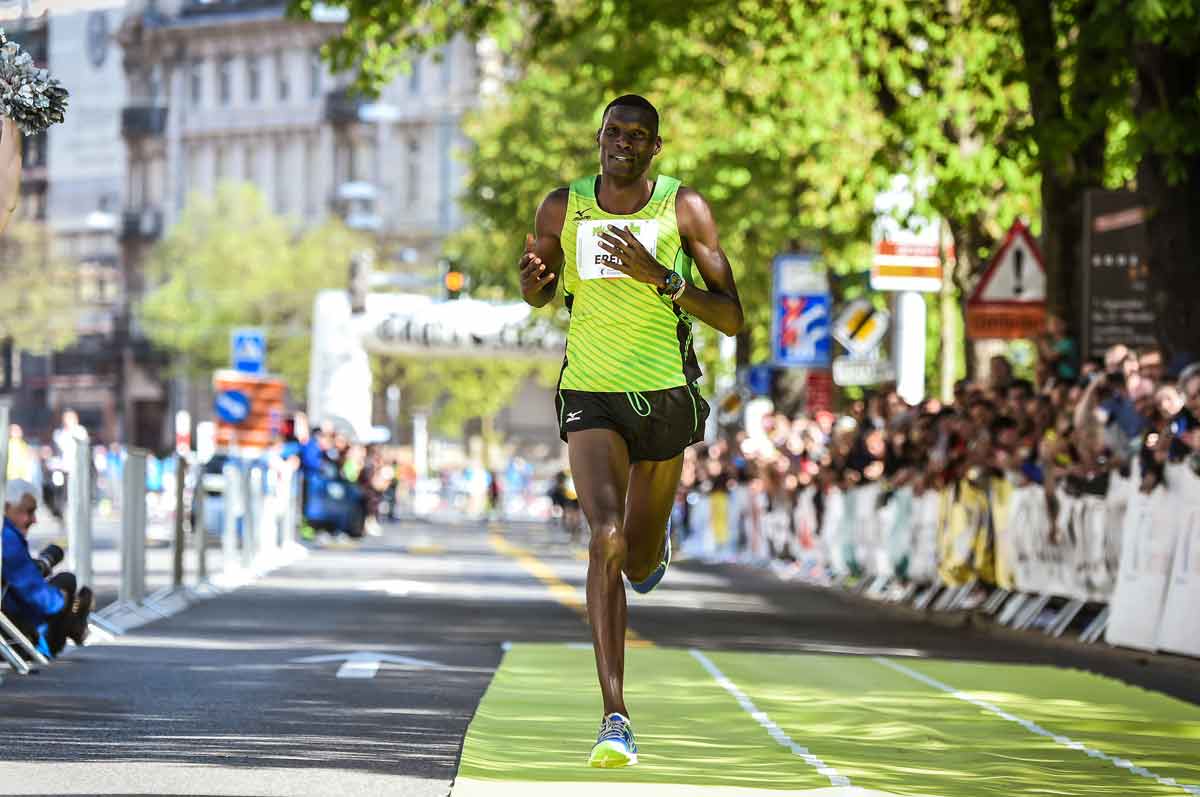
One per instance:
(1071,428)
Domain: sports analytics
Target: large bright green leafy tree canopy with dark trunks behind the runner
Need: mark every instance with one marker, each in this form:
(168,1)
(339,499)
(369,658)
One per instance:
(791,117)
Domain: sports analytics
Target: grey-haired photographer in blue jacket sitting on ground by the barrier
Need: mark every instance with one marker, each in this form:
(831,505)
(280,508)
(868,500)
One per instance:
(46,609)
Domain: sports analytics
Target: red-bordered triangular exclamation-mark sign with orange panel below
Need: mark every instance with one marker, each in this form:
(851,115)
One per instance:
(1010,301)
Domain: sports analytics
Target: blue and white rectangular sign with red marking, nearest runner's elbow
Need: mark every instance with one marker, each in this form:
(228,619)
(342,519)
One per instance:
(801,313)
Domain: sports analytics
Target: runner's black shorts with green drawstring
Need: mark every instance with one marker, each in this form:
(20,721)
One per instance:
(657,424)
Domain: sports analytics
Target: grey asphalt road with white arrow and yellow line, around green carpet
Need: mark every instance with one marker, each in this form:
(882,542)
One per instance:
(215,702)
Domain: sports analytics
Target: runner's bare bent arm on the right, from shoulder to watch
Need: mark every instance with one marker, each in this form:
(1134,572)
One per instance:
(719,305)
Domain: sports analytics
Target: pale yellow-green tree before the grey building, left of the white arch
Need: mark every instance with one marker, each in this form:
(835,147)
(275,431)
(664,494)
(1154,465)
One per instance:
(231,262)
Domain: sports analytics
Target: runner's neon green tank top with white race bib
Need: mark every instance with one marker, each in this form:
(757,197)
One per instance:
(623,335)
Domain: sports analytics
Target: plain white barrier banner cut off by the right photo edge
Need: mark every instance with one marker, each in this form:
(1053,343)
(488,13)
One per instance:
(1180,632)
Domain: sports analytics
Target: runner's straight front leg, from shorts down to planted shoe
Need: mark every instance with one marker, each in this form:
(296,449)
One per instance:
(601,465)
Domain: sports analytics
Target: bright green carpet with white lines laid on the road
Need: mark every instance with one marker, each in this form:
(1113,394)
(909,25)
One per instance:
(883,729)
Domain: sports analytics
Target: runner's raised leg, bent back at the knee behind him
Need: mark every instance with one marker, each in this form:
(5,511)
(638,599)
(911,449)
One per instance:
(649,504)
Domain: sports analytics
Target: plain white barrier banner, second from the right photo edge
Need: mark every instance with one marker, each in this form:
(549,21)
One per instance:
(1148,550)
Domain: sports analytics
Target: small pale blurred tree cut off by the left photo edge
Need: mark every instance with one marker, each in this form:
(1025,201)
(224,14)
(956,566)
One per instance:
(39,298)
